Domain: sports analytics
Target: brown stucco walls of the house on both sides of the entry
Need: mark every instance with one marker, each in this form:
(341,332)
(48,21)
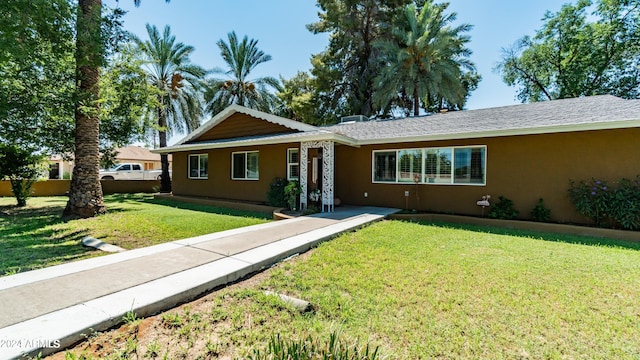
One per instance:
(521,168)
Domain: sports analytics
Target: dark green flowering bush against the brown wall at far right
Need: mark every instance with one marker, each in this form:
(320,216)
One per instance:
(608,206)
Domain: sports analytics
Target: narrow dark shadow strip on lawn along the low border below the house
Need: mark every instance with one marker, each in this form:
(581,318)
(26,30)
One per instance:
(537,235)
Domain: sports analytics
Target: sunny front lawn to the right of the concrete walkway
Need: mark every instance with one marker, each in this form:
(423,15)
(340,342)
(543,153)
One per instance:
(418,292)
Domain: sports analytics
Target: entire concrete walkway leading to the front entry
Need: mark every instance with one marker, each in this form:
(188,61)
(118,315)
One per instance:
(48,309)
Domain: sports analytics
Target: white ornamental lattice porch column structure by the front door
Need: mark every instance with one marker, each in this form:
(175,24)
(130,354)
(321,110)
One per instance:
(327,173)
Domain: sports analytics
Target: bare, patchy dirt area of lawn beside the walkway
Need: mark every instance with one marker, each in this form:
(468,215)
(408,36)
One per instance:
(205,328)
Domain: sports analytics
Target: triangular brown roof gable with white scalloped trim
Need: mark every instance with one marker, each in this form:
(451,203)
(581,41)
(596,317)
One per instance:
(237,121)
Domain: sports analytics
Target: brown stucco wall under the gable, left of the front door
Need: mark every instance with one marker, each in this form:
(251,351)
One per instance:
(272,163)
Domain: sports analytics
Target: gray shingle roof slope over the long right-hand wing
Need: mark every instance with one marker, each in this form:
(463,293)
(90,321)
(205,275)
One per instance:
(604,111)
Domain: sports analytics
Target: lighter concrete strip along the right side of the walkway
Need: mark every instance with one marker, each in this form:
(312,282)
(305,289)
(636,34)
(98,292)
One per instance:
(106,312)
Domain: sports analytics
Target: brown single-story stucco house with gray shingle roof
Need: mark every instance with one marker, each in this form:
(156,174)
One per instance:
(442,163)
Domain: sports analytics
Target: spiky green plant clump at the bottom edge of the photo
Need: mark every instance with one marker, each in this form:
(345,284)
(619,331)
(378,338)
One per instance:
(312,349)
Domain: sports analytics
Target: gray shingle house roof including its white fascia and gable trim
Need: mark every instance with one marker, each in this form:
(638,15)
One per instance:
(587,113)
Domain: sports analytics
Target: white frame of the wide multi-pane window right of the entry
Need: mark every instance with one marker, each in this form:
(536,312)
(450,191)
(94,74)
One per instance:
(423,179)
